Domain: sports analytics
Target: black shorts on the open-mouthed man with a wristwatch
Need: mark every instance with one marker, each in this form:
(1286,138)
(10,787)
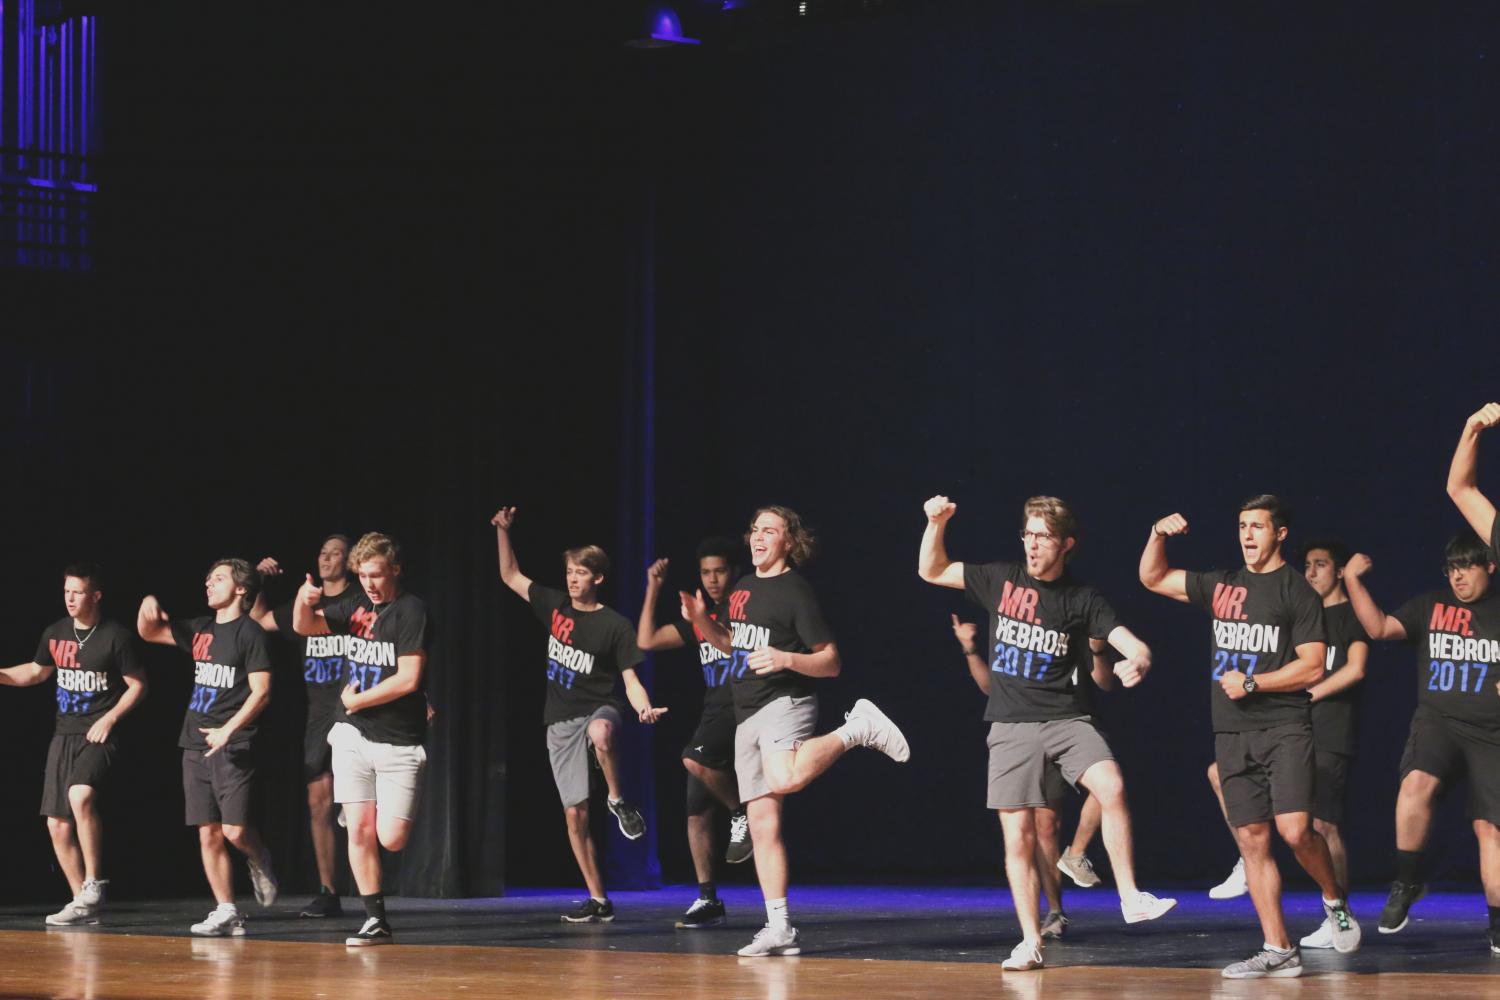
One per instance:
(1267,773)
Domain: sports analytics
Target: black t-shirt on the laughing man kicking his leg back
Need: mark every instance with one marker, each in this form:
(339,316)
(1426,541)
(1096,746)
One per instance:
(779,612)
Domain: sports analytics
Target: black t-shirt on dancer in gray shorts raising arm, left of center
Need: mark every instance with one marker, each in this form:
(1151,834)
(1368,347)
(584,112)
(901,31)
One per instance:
(586,654)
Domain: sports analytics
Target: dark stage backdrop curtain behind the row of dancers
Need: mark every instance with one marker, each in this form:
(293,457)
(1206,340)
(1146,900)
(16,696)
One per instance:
(1145,257)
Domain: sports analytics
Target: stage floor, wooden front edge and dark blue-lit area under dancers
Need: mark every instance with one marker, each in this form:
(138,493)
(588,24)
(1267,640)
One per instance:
(863,942)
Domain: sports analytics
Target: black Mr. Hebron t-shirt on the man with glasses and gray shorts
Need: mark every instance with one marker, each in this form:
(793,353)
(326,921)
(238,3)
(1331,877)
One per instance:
(1039,648)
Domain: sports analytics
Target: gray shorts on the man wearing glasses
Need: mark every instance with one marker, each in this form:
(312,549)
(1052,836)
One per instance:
(1022,755)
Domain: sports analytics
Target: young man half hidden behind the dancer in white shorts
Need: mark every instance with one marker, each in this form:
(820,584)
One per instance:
(323,680)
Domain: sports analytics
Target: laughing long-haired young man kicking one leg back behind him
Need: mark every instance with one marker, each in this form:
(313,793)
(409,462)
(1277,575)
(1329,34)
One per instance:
(781,644)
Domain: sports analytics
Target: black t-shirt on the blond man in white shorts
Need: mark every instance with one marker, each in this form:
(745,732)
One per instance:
(377,639)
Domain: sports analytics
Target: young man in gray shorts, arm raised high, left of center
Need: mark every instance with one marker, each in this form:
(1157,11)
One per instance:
(589,647)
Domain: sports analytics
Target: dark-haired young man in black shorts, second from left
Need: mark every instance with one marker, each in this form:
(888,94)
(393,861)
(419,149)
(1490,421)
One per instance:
(232,687)
